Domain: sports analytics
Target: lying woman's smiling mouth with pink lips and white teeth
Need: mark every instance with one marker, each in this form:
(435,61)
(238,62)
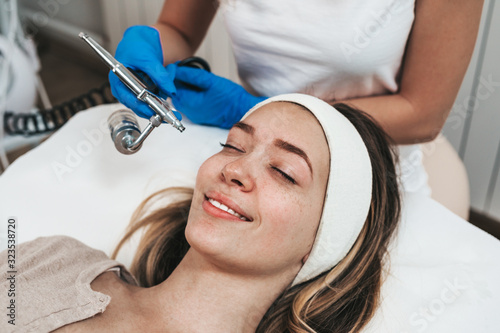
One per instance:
(219,205)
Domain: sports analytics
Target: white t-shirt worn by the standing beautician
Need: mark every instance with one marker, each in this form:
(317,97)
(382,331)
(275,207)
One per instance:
(332,49)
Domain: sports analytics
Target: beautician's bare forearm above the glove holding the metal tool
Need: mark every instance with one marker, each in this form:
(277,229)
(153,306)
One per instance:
(183,24)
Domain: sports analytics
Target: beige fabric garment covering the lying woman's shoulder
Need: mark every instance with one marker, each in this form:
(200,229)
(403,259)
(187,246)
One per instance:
(54,274)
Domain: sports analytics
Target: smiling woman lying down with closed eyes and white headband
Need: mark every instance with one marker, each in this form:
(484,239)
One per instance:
(285,231)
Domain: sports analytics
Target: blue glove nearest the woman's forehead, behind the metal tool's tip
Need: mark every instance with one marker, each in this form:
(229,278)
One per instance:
(208,99)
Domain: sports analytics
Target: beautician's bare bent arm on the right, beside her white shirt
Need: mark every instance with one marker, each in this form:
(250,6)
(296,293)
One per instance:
(438,53)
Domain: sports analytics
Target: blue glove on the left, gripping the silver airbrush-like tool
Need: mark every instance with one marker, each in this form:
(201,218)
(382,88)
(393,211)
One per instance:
(140,50)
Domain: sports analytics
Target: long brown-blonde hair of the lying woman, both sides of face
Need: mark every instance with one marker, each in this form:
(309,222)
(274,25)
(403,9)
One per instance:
(343,299)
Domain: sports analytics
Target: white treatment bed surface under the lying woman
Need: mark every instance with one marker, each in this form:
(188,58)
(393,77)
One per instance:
(444,273)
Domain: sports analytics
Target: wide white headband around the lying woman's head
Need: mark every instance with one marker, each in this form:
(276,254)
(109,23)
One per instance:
(349,190)
